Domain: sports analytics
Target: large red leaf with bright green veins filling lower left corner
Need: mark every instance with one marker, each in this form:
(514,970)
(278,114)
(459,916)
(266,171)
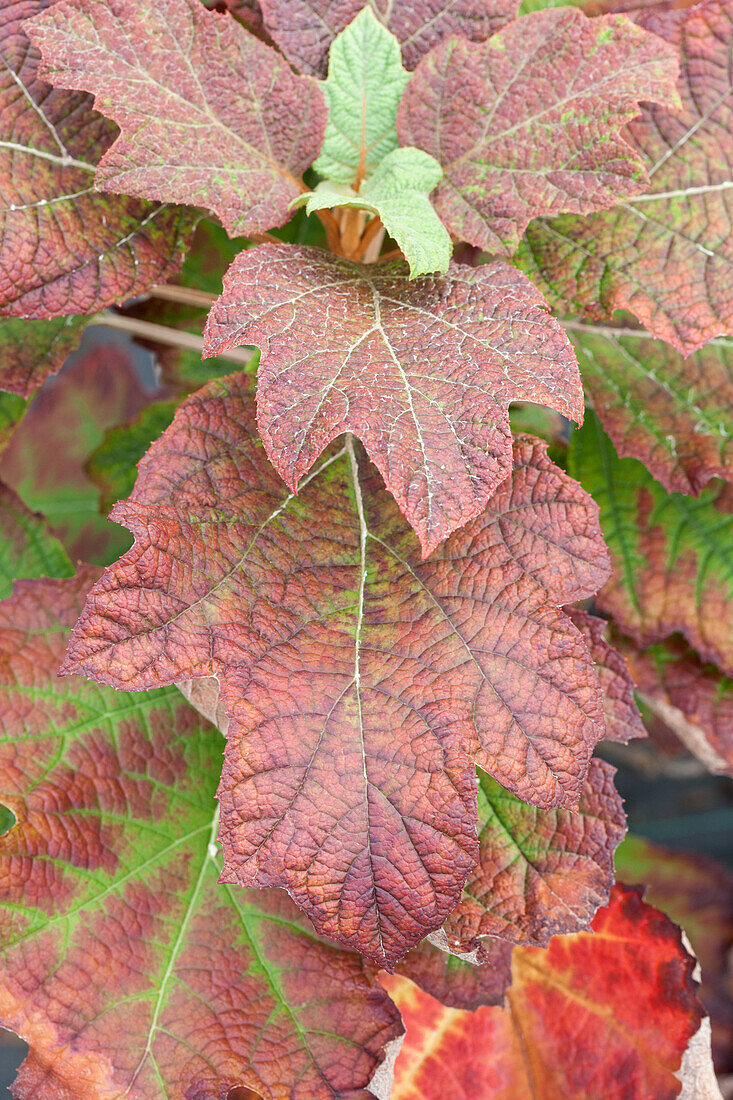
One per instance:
(126,969)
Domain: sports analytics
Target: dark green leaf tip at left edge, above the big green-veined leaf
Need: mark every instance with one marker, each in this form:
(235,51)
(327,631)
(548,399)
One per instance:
(27,546)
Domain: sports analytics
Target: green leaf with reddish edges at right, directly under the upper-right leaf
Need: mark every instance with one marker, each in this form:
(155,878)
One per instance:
(673,414)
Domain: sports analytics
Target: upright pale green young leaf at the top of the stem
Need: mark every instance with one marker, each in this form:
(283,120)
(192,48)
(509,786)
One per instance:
(366,82)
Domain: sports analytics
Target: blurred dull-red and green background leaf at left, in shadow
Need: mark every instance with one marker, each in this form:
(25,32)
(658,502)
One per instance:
(46,458)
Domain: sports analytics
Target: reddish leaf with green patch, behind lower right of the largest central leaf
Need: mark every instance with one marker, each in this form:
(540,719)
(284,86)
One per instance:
(541,873)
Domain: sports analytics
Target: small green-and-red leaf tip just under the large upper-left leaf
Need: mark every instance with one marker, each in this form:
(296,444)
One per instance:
(30,351)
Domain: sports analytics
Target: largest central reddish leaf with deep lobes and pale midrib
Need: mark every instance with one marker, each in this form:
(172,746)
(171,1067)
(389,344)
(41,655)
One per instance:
(360,683)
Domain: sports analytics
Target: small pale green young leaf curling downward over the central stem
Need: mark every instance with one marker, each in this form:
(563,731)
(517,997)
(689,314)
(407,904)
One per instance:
(398,194)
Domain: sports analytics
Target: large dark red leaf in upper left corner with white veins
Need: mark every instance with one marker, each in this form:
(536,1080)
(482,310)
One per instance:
(65,249)
